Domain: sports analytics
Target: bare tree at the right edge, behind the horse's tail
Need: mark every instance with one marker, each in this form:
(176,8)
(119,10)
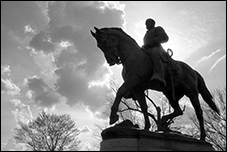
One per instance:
(215,125)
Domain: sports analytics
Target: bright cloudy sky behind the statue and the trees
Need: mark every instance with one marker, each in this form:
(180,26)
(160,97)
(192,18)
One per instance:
(50,61)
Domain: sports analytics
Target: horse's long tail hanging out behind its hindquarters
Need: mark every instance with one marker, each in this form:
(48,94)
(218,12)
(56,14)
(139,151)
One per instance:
(203,90)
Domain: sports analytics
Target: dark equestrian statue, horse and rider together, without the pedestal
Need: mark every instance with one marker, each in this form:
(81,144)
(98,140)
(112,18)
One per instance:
(151,67)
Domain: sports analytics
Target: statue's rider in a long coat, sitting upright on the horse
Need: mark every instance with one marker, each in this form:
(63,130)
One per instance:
(152,44)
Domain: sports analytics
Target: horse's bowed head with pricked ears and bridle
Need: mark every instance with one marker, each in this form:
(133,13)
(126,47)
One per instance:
(108,45)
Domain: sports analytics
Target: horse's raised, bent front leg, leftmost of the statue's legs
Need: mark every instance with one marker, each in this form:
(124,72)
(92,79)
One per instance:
(125,87)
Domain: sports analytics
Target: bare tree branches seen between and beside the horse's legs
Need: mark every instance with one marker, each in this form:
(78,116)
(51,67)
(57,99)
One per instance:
(130,109)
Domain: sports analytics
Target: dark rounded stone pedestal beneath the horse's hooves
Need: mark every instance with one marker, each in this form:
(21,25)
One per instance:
(134,139)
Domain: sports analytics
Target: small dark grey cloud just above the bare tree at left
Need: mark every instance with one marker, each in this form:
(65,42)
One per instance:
(41,93)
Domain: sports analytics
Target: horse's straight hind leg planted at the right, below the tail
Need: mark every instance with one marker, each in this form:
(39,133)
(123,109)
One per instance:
(199,113)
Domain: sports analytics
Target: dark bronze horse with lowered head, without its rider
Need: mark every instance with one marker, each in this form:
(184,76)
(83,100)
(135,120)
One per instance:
(119,48)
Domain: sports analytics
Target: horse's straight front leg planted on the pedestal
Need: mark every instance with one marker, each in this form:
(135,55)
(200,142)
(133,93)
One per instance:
(142,101)
